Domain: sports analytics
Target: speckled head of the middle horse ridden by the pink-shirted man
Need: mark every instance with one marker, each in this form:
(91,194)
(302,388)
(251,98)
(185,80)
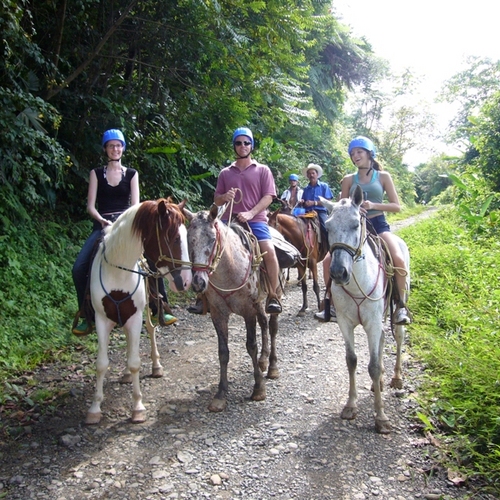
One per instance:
(203,237)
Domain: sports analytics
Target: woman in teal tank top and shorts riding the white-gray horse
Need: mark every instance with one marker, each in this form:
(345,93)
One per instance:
(375,182)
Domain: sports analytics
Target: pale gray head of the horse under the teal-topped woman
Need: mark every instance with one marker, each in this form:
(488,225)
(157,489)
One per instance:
(345,235)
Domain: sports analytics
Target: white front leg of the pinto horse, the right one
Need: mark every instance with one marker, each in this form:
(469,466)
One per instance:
(133,327)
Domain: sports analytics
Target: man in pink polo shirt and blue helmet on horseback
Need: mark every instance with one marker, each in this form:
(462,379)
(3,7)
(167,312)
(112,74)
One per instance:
(251,185)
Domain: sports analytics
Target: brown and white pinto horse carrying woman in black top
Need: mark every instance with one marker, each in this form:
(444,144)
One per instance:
(156,230)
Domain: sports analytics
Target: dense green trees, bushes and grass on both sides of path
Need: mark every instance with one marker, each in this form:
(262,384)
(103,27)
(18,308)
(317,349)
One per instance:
(178,78)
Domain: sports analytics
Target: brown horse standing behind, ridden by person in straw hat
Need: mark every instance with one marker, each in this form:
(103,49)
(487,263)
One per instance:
(300,233)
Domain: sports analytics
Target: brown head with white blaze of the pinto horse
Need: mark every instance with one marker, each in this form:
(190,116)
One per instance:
(160,224)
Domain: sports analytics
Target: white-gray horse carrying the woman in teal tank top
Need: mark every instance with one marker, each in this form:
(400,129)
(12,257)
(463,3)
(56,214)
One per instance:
(359,285)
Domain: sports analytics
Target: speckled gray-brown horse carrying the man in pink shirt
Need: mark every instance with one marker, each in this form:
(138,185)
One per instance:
(223,269)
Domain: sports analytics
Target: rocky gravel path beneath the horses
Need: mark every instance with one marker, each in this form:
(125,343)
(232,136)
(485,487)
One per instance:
(293,445)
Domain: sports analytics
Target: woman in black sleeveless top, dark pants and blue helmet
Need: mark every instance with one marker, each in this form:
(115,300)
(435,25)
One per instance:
(112,189)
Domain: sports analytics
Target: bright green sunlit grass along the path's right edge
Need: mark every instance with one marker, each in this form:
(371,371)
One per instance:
(455,298)
